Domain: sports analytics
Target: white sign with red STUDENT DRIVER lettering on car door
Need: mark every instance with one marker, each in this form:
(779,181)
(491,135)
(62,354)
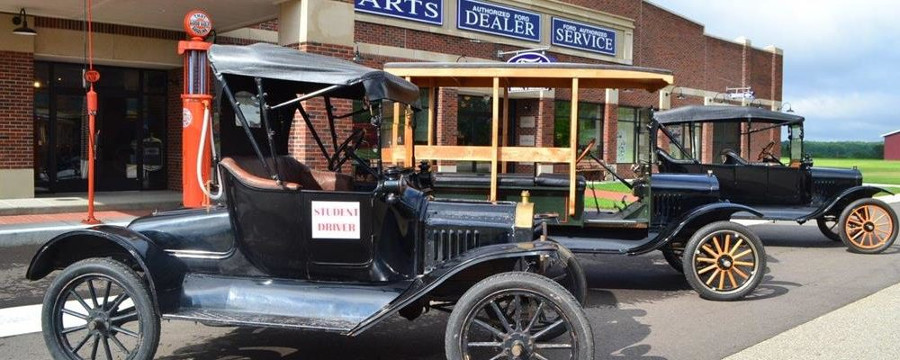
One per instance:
(335,219)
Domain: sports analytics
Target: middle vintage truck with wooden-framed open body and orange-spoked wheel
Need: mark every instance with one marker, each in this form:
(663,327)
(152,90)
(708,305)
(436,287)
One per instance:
(726,260)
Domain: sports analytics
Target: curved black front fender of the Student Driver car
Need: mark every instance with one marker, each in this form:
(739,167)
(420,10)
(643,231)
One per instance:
(423,285)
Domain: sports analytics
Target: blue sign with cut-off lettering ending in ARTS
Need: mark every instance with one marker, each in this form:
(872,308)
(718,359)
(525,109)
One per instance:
(426,11)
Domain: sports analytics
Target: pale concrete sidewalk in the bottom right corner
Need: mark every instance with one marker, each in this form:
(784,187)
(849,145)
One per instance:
(866,329)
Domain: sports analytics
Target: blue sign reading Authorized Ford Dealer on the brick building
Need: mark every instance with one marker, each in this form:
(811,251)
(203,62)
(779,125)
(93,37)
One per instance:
(498,20)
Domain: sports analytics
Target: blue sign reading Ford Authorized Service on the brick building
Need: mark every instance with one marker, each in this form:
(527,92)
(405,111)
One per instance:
(585,37)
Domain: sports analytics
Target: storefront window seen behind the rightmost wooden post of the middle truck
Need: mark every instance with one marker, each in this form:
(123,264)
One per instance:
(590,125)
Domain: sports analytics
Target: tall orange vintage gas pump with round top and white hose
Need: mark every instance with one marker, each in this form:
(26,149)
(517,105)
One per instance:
(196,103)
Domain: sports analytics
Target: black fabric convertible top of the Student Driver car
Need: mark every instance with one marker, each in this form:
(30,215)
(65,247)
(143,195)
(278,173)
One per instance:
(310,72)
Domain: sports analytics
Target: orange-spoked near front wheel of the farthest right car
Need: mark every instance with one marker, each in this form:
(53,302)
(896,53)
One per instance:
(868,226)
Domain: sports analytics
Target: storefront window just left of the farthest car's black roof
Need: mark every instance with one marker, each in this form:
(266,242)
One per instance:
(632,136)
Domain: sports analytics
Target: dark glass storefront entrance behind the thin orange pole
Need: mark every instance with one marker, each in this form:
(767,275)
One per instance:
(130,128)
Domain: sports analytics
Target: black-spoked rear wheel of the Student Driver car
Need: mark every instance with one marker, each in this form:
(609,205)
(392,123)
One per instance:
(109,327)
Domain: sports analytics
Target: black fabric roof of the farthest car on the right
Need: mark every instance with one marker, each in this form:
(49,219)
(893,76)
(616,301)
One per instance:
(719,113)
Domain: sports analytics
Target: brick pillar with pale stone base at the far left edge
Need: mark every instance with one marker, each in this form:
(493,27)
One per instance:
(17,124)
